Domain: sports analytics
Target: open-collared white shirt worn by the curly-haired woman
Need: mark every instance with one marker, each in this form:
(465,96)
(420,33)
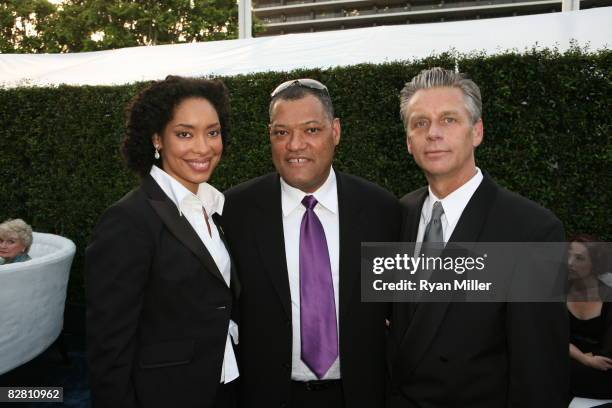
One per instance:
(191,206)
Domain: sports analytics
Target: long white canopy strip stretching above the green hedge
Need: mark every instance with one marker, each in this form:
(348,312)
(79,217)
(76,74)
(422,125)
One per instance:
(324,49)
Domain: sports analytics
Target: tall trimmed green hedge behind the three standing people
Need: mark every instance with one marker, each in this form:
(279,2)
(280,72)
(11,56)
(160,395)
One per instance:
(547,136)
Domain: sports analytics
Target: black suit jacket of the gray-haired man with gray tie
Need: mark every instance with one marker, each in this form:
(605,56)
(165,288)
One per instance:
(488,355)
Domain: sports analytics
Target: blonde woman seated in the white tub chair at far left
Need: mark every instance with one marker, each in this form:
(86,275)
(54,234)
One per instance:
(15,241)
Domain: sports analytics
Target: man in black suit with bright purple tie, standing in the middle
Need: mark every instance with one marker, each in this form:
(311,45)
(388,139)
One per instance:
(306,339)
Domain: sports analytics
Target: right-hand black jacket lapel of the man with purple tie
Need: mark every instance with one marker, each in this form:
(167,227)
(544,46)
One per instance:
(350,213)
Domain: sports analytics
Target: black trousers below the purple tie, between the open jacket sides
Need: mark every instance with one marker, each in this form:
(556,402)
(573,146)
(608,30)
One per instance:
(316,394)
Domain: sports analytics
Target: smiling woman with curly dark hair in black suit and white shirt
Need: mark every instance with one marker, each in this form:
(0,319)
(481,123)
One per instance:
(161,288)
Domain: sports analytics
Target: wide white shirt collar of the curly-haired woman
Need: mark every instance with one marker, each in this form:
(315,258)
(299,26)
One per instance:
(209,197)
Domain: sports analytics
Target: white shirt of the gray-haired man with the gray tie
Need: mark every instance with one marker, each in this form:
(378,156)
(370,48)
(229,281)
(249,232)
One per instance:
(453,205)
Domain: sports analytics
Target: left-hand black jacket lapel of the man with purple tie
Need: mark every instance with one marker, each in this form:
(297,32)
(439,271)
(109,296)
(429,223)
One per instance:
(268,221)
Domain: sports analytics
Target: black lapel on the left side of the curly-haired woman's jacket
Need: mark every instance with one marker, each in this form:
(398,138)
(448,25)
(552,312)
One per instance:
(179,226)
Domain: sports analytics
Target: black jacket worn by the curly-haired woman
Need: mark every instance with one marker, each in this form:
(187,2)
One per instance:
(158,308)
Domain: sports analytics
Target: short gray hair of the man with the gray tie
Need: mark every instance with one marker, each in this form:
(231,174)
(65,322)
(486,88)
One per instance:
(442,78)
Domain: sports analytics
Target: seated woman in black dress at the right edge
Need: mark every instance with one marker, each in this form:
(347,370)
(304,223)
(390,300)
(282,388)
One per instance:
(590,321)
